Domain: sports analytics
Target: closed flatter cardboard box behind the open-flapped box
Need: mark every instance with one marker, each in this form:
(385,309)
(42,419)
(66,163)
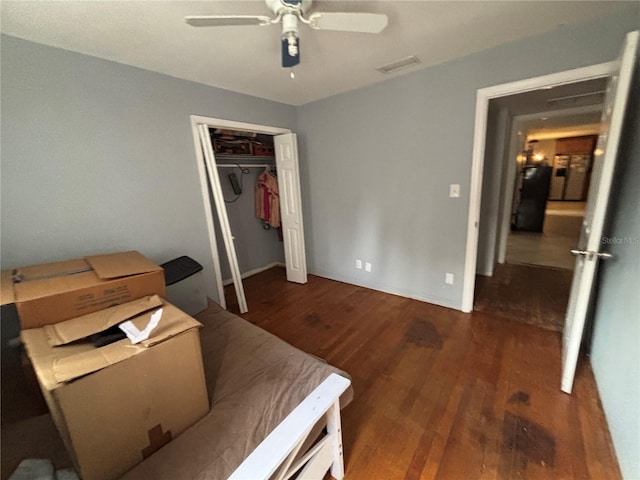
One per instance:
(50,293)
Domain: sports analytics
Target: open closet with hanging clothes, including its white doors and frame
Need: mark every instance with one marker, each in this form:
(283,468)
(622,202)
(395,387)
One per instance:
(249,176)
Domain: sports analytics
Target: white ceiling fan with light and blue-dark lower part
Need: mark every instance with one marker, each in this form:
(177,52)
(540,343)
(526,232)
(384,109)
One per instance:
(289,13)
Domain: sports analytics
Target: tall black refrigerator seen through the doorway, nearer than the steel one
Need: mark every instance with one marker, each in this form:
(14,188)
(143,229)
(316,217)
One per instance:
(531,198)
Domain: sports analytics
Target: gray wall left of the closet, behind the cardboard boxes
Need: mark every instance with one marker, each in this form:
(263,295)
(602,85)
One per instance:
(99,157)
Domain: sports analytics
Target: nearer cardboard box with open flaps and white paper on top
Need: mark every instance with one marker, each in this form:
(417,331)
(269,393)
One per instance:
(117,404)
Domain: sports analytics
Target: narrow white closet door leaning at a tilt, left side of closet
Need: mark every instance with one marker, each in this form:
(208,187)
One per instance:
(216,190)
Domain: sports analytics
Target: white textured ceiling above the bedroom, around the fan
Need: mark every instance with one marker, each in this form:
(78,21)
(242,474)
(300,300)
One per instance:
(153,35)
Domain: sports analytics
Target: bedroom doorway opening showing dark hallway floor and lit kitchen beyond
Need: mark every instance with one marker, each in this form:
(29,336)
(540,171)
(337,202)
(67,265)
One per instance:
(531,278)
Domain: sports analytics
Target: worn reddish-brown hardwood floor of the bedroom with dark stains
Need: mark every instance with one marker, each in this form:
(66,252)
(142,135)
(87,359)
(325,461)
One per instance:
(440,394)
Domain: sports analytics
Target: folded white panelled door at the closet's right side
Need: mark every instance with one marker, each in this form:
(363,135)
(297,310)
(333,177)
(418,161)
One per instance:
(286,147)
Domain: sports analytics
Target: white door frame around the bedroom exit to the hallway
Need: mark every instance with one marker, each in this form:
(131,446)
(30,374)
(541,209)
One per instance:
(483,96)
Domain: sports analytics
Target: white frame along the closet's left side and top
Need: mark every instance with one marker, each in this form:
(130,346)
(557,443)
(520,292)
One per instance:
(212,122)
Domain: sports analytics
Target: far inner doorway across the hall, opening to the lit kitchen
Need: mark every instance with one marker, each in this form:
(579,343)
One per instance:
(545,200)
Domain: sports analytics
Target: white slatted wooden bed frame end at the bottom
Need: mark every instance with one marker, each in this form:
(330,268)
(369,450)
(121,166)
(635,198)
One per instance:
(277,452)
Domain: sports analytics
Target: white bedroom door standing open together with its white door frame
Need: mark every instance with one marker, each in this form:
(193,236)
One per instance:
(589,251)
